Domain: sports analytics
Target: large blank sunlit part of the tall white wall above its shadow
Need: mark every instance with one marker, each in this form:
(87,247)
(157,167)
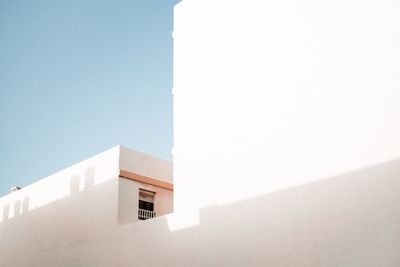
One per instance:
(271,94)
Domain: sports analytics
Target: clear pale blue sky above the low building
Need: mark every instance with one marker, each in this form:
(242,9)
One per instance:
(79,77)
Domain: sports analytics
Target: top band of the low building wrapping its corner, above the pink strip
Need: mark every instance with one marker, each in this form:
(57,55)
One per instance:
(84,175)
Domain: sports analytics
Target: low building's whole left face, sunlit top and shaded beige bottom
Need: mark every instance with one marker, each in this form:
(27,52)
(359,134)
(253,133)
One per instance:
(70,207)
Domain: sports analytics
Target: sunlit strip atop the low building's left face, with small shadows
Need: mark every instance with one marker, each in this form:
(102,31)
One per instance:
(79,177)
